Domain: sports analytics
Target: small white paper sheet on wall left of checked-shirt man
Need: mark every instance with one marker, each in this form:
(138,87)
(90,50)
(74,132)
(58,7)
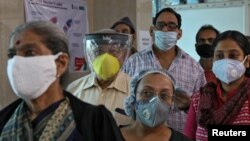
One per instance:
(144,40)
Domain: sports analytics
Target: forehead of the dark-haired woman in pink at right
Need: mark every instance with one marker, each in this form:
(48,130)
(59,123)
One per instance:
(227,45)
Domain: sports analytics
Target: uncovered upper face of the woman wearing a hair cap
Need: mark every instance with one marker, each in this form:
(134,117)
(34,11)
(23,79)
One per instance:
(155,85)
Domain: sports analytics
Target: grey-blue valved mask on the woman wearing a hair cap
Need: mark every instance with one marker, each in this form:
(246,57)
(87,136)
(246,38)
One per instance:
(152,112)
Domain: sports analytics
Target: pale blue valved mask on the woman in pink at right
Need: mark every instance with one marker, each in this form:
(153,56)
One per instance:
(228,70)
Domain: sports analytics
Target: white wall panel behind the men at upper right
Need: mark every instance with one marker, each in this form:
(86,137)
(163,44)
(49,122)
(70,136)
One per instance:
(224,16)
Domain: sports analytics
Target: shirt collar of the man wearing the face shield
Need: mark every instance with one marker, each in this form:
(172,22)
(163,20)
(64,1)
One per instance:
(118,83)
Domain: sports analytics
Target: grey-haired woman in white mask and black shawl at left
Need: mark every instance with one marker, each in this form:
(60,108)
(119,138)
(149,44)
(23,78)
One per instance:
(39,57)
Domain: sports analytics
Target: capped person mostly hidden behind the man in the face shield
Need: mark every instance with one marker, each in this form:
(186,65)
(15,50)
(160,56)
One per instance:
(124,25)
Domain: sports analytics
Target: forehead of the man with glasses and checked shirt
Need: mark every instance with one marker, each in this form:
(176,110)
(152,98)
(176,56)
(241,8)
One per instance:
(167,17)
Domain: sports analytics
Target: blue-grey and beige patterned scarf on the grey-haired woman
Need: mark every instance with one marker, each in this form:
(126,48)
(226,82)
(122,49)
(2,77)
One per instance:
(58,125)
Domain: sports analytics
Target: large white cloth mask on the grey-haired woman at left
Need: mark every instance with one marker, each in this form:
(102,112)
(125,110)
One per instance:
(30,77)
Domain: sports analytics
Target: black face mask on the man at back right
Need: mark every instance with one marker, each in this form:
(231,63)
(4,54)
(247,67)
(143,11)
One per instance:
(204,50)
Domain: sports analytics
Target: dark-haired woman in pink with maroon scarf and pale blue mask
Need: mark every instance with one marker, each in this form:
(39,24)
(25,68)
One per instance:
(227,102)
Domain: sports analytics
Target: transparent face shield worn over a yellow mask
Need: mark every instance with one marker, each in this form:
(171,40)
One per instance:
(116,44)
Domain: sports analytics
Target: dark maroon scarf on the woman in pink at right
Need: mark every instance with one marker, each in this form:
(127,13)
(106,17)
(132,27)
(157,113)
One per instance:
(212,112)
